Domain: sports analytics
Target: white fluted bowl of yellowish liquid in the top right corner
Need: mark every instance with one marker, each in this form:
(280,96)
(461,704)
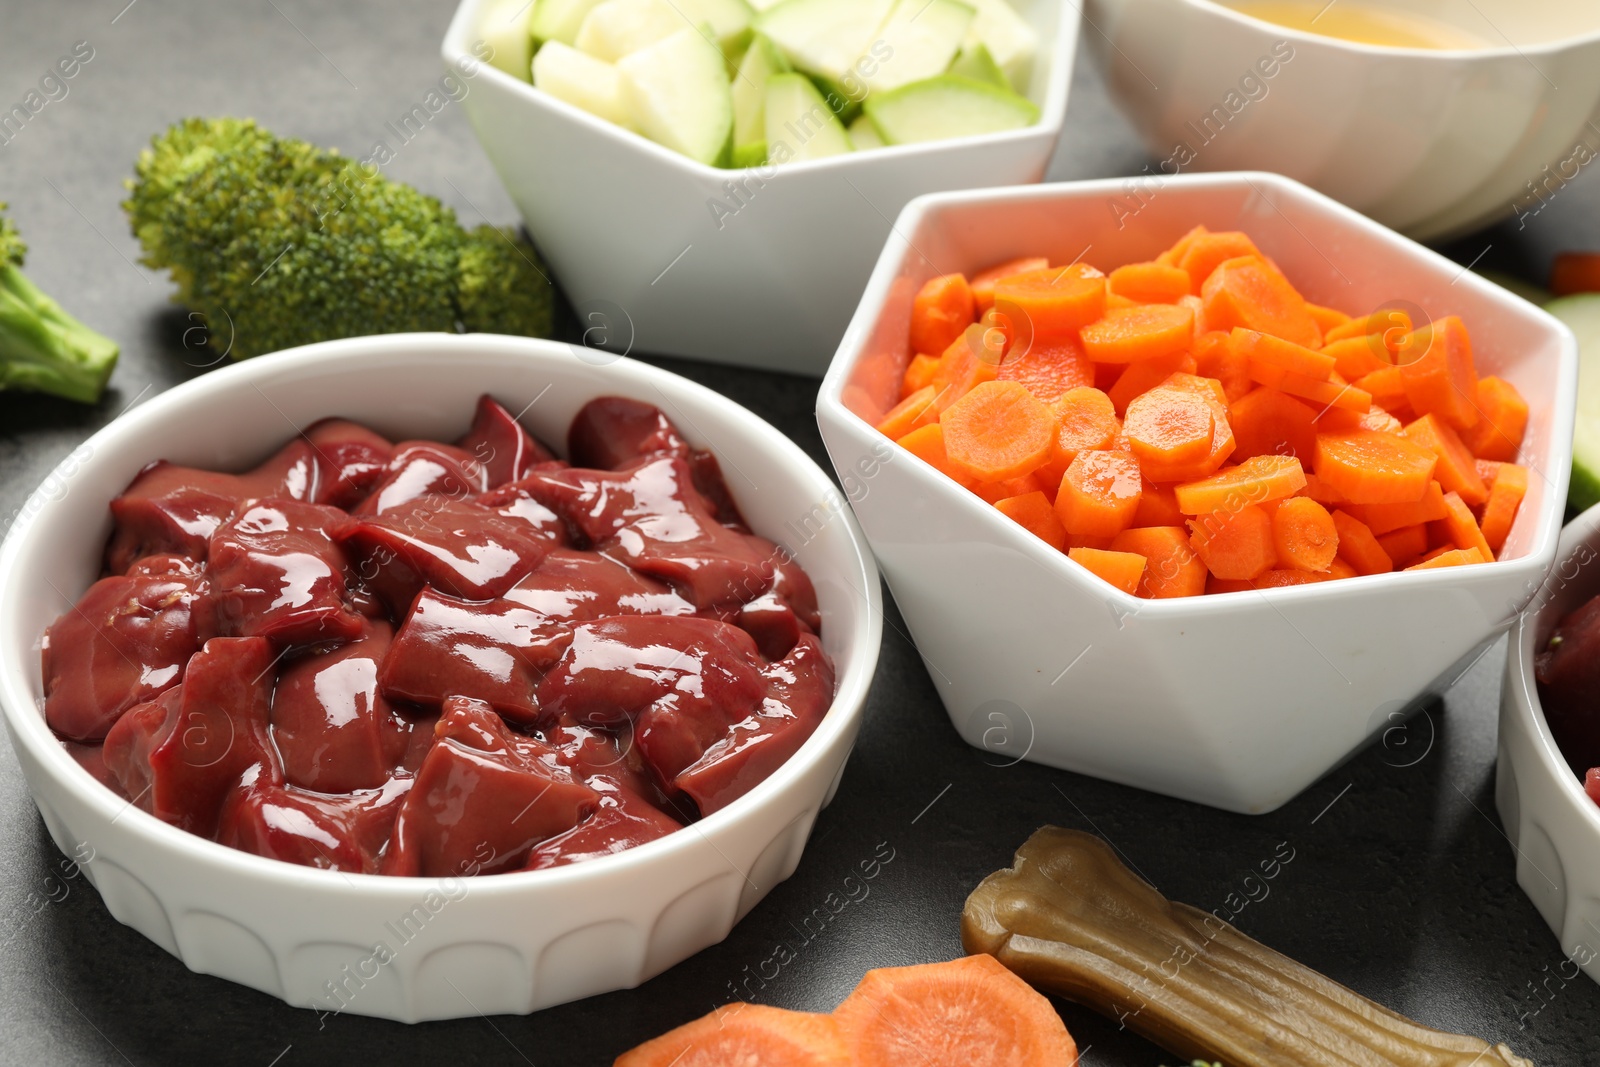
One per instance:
(1428,142)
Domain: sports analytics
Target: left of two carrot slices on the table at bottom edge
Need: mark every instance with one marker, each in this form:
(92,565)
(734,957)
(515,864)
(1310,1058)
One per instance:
(746,1034)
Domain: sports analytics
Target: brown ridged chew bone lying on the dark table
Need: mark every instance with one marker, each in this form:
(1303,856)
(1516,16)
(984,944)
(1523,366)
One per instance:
(1073,921)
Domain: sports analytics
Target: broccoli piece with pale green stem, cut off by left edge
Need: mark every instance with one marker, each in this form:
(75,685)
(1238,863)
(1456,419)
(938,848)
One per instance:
(44,348)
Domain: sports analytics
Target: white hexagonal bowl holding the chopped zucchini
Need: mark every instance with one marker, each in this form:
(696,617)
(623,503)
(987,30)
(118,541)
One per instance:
(634,236)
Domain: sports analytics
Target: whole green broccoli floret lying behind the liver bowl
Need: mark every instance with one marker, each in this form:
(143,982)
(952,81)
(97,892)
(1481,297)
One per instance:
(279,244)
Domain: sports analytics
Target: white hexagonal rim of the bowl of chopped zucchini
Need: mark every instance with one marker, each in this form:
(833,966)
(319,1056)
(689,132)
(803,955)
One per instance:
(1052,114)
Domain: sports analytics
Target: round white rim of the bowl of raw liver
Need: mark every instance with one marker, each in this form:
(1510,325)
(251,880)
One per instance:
(30,729)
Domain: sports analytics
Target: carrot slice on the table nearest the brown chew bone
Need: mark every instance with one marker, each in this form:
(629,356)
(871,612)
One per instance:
(969,1012)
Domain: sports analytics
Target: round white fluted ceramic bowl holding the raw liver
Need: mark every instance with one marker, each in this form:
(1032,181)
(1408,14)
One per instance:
(497,945)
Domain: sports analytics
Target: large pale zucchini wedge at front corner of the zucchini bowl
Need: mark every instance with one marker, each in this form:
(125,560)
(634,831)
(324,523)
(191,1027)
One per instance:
(678,92)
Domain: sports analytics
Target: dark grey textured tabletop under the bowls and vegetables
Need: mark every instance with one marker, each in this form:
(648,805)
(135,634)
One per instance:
(1402,882)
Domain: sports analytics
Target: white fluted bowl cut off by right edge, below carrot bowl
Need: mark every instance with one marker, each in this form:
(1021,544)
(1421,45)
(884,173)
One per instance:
(1553,825)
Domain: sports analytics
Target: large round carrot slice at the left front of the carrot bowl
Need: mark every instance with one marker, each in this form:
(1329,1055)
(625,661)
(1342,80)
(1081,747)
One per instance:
(998,431)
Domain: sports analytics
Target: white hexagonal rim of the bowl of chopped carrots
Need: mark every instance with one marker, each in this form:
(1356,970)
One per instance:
(831,401)
